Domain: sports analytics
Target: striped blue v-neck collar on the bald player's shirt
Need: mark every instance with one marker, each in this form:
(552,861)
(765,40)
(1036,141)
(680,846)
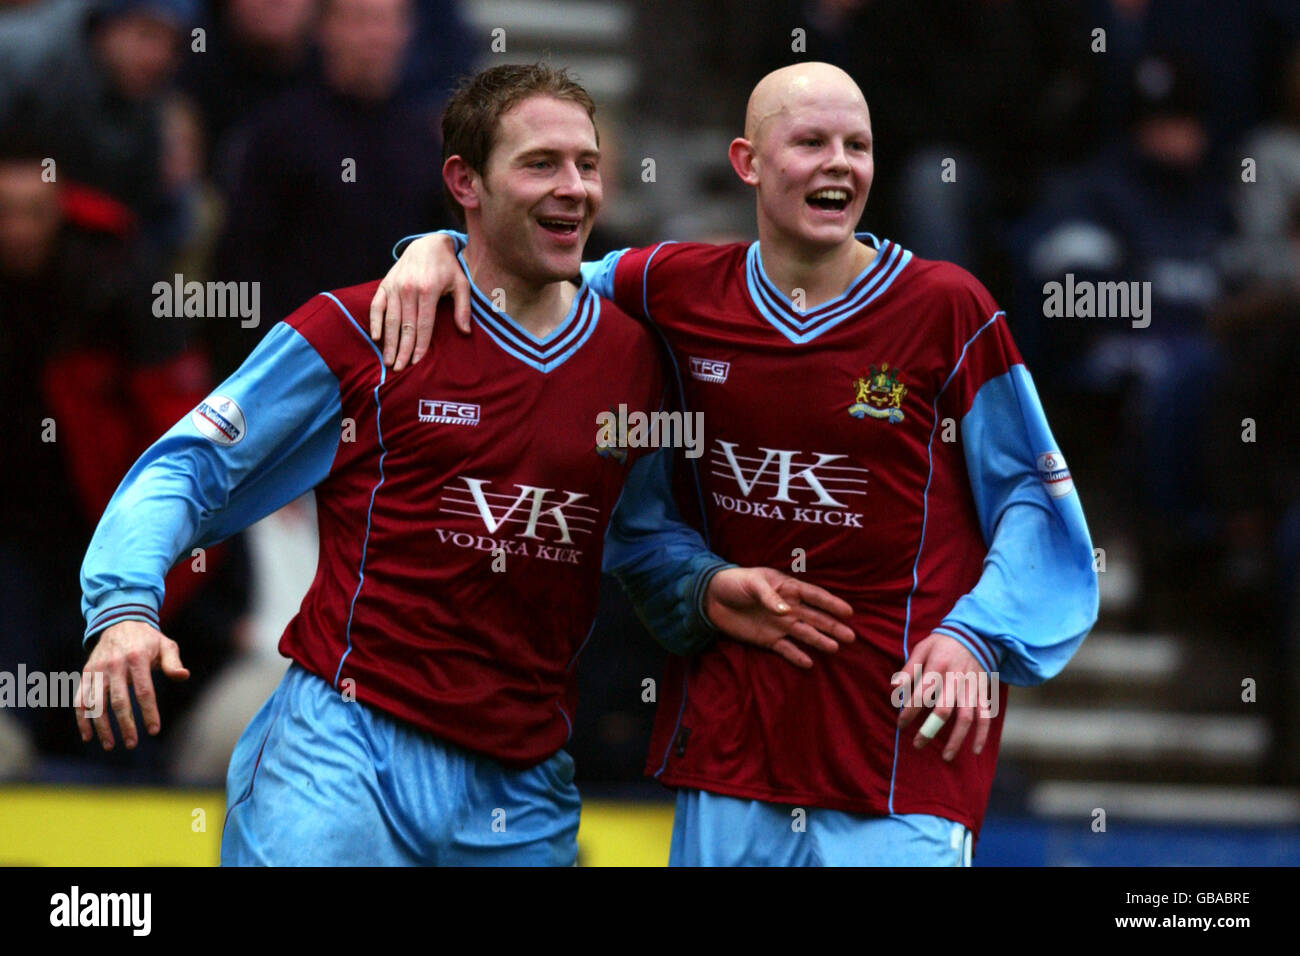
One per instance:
(800,327)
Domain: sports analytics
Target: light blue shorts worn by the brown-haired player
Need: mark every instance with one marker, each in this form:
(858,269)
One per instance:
(319,781)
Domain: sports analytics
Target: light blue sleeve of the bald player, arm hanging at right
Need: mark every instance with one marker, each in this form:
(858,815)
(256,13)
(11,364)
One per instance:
(1037,598)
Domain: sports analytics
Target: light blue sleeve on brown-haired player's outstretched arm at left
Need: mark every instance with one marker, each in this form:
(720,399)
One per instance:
(265,438)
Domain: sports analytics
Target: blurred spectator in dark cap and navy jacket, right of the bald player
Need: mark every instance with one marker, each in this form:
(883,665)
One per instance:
(1151,214)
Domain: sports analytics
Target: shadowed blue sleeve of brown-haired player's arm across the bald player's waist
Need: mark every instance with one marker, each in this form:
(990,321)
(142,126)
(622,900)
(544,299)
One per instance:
(662,563)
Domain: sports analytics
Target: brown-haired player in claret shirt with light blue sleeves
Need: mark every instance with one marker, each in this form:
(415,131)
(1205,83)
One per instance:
(462,509)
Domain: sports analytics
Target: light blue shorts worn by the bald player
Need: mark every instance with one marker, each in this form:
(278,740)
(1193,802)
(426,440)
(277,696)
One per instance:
(712,830)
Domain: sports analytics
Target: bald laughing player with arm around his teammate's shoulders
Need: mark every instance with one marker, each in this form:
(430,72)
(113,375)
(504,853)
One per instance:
(869,421)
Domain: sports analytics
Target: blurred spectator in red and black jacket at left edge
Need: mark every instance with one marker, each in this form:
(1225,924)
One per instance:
(90,377)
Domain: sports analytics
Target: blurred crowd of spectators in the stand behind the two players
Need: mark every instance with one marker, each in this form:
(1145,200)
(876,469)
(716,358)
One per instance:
(292,142)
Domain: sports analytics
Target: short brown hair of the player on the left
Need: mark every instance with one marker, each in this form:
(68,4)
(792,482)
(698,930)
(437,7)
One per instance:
(473,116)
